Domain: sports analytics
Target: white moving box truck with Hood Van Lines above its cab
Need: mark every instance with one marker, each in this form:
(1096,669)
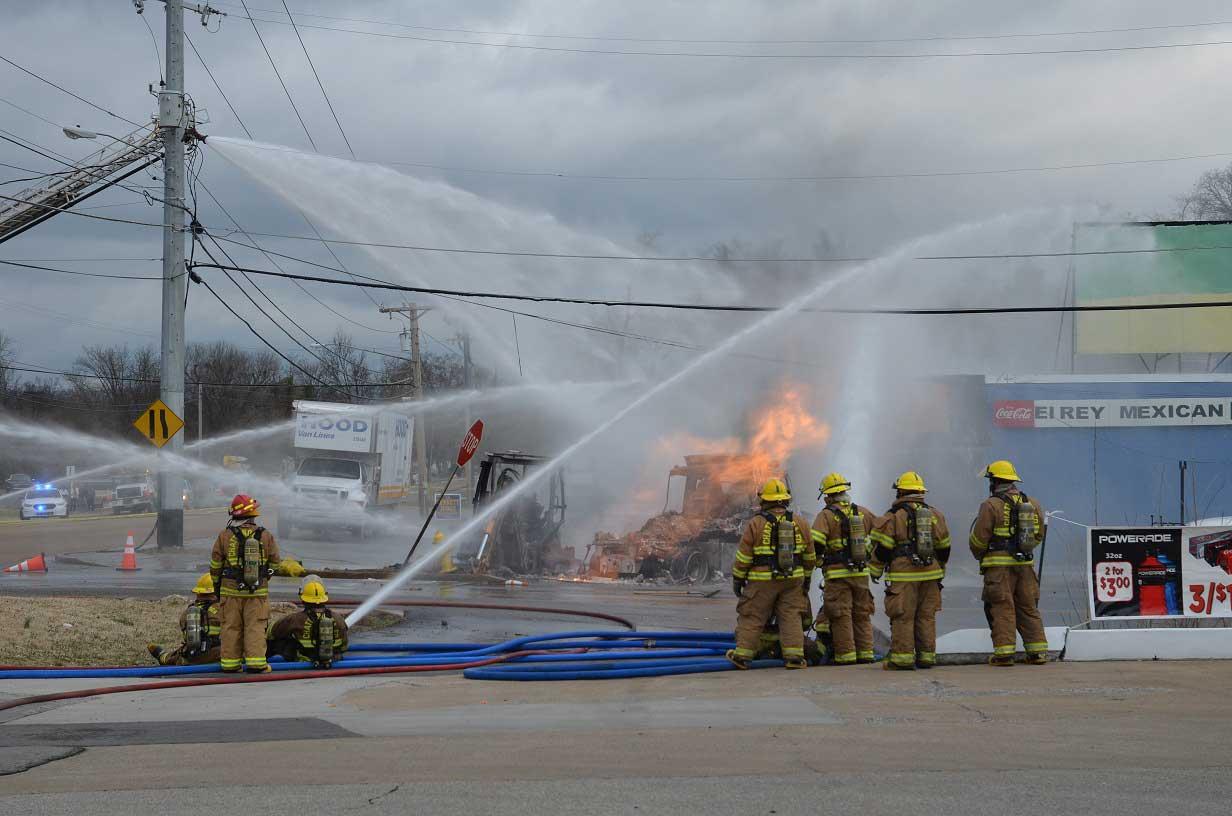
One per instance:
(351,460)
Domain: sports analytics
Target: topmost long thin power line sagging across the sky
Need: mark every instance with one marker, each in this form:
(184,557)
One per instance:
(753,43)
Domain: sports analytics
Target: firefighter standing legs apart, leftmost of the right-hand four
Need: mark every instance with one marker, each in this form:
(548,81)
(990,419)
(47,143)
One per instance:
(774,563)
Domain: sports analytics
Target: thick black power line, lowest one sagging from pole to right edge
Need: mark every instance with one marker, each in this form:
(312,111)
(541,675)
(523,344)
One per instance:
(707,308)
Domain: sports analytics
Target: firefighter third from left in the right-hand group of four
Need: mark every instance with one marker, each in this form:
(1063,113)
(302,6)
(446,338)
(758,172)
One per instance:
(911,549)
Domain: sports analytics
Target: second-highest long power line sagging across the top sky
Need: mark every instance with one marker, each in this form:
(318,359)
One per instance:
(760,57)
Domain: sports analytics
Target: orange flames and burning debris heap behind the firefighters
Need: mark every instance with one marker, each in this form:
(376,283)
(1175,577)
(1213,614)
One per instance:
(721,488)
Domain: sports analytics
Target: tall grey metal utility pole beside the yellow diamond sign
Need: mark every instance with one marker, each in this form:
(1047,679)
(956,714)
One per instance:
(172,125)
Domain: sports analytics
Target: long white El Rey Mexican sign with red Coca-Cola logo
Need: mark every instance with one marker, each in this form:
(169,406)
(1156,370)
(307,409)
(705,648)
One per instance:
(1113,414)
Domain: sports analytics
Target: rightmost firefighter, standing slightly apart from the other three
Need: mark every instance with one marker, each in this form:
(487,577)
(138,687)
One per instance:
(1005,536)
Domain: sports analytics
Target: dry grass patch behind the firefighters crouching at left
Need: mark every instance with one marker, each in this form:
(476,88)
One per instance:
(103,632)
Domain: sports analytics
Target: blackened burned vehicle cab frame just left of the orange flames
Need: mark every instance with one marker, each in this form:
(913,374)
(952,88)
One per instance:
(525,537)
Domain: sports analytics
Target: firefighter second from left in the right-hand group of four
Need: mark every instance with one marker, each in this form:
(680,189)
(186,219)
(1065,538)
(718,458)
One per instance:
(841,534)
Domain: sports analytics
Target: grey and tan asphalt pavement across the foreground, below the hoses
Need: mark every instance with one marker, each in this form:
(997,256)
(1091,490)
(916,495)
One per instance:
(1121,739)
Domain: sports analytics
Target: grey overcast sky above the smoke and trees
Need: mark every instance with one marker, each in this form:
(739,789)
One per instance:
(405,100)
